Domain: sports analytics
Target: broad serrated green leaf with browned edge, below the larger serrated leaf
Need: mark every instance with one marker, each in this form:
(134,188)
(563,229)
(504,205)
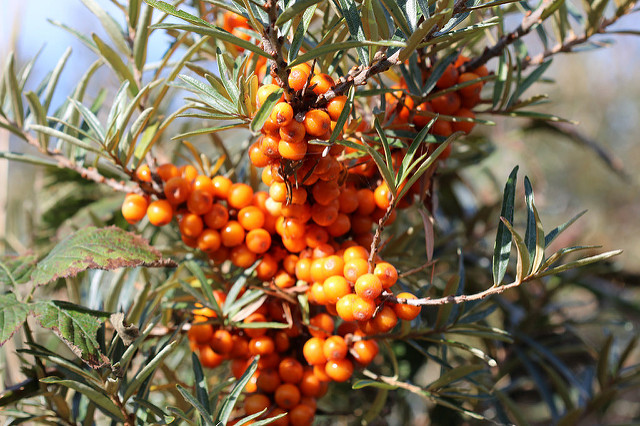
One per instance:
(76,326)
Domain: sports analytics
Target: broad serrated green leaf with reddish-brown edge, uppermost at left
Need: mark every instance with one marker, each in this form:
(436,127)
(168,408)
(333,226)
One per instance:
(97,248)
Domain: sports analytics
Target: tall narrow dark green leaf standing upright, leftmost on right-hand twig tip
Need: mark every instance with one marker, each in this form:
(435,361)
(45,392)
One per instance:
(502,247)
